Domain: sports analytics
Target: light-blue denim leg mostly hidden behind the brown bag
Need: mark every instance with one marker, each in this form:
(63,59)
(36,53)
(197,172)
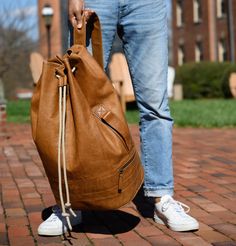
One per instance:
(107,11)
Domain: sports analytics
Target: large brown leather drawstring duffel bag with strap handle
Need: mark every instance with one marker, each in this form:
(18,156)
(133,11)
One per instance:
(80,131)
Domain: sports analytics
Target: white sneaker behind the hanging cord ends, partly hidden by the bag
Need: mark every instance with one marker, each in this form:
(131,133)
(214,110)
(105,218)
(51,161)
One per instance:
(56,224)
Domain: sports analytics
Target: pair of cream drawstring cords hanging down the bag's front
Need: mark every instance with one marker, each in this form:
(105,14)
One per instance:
(61,154)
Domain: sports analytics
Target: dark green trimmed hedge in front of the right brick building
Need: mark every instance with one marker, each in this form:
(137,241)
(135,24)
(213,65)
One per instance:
(205,79)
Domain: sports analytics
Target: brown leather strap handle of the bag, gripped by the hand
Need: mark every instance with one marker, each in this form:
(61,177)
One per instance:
(80,35)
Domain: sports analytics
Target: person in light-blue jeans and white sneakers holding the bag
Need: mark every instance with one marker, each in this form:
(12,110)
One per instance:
(142,27)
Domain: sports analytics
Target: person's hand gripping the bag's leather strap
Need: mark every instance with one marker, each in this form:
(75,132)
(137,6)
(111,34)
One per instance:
(76,10)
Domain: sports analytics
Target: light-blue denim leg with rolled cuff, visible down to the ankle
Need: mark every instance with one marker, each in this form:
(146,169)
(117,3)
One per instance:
(143,27)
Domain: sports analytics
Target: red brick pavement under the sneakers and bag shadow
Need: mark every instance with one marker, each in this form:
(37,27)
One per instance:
(205,179)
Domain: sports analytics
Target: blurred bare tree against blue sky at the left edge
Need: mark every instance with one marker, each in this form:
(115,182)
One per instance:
(16,46)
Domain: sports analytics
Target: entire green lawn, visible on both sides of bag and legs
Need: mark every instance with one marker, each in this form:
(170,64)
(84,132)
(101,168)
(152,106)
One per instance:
(187,113)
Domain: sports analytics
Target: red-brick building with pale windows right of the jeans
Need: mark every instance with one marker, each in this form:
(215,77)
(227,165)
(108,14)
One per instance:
(203,30)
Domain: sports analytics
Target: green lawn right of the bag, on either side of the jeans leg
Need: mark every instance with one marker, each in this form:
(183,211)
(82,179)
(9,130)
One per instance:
(208,113)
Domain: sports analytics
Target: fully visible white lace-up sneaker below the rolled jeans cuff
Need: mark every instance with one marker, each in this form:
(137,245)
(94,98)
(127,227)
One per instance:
(172,214)
